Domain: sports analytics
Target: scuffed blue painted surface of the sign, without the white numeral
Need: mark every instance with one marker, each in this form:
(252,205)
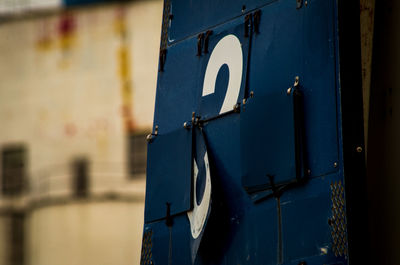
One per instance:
(277,224)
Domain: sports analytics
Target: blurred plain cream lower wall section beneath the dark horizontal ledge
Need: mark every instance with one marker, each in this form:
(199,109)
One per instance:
(80,233)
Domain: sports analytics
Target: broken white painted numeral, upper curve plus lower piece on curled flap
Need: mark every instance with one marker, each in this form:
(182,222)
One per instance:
(227,51)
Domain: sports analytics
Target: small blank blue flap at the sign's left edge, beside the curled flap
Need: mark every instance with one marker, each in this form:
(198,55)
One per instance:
(169,174)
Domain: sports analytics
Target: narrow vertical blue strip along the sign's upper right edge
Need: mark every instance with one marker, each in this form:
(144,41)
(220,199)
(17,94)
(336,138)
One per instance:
(320,82)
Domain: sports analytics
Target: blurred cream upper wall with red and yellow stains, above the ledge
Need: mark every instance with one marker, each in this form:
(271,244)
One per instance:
(64,90)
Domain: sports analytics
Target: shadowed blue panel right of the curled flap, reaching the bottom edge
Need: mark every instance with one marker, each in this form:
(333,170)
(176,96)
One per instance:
(238,231)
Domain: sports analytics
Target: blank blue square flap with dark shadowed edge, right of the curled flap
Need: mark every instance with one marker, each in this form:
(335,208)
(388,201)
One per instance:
(271,117)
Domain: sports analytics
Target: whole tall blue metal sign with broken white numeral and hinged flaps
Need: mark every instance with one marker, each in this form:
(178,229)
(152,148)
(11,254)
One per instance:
(249,104)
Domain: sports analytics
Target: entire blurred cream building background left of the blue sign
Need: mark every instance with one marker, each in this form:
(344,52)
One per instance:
(77,89)
